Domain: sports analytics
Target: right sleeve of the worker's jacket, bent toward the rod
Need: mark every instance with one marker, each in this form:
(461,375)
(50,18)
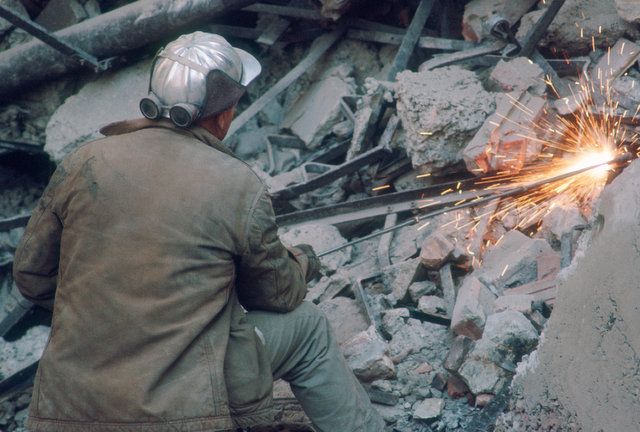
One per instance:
(269,276)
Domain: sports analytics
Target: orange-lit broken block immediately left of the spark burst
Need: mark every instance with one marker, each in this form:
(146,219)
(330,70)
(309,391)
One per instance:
(506,141)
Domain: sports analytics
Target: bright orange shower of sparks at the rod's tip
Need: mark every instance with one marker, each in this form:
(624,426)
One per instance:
(594,134)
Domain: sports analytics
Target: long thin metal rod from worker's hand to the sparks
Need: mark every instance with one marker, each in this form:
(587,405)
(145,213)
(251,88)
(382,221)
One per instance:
(511,192)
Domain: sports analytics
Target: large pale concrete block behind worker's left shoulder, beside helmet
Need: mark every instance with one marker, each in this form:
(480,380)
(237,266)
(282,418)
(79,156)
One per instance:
(120,91)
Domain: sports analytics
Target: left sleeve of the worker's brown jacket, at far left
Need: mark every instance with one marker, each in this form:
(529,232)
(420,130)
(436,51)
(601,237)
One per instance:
(35,266)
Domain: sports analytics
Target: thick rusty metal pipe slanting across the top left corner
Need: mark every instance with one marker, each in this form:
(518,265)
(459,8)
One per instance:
(110,34)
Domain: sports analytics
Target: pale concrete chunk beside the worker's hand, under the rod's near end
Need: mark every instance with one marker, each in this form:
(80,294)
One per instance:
(320,237)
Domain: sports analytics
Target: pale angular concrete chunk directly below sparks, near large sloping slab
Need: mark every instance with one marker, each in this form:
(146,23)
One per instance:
(512,262)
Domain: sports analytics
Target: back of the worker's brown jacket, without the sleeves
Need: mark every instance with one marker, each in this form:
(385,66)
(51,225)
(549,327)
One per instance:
(150,224)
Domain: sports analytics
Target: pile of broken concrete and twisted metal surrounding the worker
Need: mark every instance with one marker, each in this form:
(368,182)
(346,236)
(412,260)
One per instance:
(448,165)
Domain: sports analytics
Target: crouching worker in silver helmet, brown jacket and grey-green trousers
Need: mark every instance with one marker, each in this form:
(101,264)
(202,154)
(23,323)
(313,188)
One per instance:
(175,305)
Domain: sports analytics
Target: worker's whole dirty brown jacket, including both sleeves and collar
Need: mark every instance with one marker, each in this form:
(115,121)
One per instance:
(142,244)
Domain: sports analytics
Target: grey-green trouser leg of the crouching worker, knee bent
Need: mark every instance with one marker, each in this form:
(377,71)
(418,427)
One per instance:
(304,352)
